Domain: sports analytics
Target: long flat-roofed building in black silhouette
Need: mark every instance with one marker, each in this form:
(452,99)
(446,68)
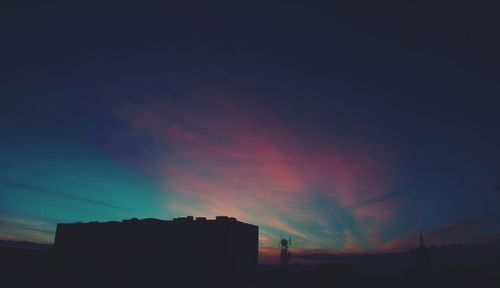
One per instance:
(152,252)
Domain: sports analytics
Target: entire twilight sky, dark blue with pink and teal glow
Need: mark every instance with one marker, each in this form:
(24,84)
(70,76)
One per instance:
(350,127)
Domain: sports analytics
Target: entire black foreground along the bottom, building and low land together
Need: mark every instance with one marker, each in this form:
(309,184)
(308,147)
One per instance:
(222,253)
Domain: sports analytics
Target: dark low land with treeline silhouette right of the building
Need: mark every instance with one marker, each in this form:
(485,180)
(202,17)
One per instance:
(446,266)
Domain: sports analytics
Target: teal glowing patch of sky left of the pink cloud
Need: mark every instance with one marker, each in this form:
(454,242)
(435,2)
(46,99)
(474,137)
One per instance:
(51,183)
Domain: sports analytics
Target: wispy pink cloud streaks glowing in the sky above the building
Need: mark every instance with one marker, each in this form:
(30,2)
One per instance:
(245,162)
